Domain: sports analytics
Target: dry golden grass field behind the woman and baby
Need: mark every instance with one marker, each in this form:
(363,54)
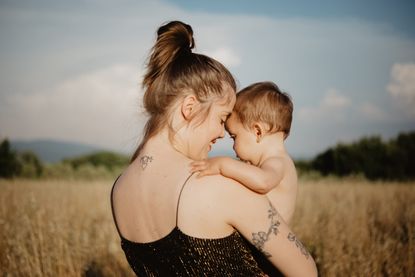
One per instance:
(65,228)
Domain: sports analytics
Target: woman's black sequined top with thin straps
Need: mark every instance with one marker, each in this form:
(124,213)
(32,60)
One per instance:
(178,254)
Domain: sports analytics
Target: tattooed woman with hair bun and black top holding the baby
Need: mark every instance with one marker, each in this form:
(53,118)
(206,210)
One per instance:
(171,223)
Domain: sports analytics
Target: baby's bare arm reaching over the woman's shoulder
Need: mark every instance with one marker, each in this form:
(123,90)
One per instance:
(259,179)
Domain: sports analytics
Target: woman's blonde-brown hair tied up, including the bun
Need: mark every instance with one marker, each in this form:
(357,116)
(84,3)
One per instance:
(174,72)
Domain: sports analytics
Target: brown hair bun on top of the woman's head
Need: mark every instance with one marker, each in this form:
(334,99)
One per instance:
(178,32)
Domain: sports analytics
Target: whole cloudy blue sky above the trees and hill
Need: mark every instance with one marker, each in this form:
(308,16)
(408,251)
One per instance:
(71,70)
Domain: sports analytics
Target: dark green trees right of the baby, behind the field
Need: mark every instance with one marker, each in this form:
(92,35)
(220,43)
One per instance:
(370,156)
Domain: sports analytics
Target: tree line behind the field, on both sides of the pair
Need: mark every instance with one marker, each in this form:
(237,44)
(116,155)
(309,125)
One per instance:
(370,156)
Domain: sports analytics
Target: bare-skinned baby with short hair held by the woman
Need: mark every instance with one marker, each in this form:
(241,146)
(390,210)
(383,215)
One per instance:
(258,125)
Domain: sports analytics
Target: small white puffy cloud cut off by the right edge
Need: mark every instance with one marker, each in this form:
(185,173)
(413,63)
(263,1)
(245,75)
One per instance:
(402,87)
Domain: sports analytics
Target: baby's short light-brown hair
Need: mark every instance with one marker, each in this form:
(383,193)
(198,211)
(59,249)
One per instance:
(264,102)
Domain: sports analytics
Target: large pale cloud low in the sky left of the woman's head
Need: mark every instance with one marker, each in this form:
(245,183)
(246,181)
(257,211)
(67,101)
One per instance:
(100,107)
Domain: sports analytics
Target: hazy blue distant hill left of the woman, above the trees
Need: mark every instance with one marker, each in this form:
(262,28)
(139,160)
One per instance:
(51,151)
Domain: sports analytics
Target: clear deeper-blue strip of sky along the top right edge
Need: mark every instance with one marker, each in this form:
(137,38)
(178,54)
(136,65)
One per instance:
(399,14)
